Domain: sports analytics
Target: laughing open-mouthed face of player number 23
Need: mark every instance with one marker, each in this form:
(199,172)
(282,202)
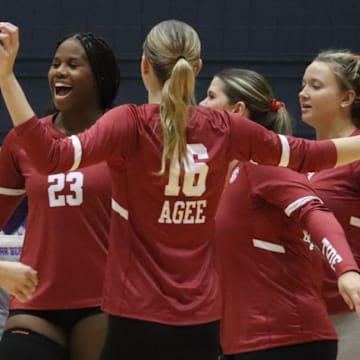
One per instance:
(70,76)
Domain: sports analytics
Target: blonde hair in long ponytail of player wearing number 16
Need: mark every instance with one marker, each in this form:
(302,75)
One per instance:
(173,50)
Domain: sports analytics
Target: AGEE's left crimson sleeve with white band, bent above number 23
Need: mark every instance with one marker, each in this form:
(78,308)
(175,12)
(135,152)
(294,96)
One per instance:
(106,140)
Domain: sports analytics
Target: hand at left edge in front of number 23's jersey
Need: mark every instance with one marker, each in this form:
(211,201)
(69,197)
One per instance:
(18,279)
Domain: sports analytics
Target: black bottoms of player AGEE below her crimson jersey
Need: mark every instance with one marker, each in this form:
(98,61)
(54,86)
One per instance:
(138,340)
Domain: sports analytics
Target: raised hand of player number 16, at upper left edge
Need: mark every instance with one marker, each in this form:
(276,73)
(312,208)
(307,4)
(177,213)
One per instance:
(9,46)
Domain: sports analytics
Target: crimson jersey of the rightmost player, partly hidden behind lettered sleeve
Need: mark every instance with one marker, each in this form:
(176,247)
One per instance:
(340,190)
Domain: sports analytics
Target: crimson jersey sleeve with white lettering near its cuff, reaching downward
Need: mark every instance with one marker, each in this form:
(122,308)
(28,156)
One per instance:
(291,192)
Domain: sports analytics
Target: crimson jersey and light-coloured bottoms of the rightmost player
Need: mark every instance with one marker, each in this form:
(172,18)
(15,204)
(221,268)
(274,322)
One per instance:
(339,188)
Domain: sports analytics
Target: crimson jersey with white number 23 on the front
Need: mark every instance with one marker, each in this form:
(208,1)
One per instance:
(68,222)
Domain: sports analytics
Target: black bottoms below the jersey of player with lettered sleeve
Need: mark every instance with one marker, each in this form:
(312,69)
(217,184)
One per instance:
(317,350)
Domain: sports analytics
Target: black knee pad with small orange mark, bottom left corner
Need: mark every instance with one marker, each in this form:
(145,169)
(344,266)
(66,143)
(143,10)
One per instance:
(20,343)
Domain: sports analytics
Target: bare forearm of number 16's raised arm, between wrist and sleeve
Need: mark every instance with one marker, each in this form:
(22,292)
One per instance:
(15,100)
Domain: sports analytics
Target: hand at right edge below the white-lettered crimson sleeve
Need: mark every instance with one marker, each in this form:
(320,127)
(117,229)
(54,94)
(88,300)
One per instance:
(349,287)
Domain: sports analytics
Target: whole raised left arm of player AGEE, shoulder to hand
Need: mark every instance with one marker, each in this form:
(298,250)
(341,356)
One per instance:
(47,154)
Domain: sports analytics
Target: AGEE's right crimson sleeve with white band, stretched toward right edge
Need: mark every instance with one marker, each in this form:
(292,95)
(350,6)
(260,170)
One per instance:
(249,140)
